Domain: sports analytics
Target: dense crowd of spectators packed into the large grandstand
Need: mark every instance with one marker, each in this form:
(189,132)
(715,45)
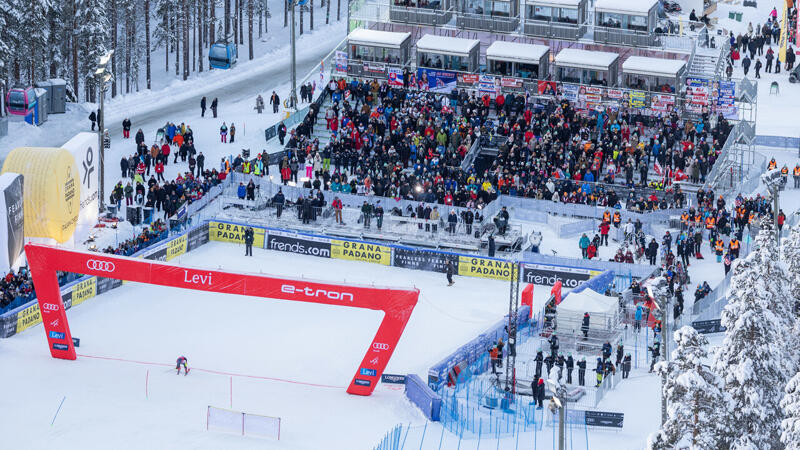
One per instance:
(393,142)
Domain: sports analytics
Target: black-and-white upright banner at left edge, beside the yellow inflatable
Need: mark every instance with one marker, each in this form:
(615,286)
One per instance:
(11,202)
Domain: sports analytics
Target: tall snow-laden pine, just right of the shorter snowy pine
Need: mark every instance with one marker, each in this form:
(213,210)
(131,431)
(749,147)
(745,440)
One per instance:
(753,357)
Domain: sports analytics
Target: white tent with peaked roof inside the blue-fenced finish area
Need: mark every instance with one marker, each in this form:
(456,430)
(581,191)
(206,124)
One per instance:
(603,312)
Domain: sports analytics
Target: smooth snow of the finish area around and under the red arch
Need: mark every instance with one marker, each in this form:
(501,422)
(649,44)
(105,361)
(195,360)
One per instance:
(269,349)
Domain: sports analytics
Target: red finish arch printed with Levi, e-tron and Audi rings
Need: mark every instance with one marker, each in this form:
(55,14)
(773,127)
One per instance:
(44,261)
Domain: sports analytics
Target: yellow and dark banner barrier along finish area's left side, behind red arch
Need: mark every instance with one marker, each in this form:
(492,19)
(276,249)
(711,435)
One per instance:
(86,287)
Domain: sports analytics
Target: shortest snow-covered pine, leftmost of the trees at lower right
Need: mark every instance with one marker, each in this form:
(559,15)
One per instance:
(694,395)
